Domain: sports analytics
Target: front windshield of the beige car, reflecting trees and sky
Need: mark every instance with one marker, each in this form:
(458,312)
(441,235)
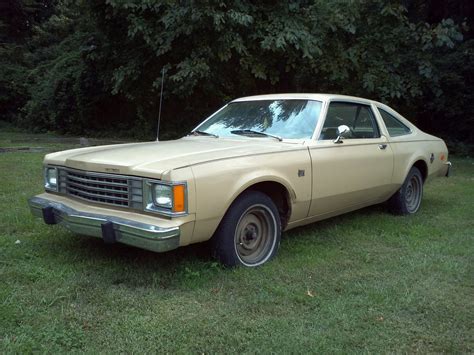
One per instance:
(282,118)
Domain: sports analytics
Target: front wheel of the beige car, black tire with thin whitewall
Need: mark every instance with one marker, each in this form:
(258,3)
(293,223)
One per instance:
(249,233)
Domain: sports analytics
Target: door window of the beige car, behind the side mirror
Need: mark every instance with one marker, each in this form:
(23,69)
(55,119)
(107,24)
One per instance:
(359,118)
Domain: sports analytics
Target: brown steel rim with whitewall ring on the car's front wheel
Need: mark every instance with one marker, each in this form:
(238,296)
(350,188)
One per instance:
(255,235)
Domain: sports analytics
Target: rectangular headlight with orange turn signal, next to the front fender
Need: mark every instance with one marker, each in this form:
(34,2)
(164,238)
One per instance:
(167,198)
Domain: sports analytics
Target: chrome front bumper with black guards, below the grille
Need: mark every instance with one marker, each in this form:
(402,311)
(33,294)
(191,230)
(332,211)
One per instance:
(110,228)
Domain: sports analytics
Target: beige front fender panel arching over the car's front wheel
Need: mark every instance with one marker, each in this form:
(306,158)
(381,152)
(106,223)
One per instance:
(219,183)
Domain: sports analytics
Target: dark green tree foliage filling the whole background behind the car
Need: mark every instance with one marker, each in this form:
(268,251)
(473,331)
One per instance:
(96,64)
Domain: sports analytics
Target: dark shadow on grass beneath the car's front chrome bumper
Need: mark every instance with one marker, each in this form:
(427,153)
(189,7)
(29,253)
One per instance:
(120,265)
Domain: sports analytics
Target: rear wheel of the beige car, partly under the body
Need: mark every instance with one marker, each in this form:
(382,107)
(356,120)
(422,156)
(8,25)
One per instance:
(407,200)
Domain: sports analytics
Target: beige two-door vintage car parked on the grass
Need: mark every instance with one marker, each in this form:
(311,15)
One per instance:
(258,166)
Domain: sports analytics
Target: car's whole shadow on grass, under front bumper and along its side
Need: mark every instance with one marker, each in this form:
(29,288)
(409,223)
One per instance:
(191,266)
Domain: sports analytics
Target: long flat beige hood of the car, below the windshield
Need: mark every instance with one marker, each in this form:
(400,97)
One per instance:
(152,159)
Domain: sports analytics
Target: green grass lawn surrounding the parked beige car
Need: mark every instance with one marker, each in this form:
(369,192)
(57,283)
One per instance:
(363,282)
